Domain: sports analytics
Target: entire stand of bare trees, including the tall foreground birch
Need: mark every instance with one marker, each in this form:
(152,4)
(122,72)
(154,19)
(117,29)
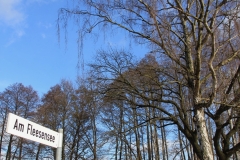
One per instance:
(181,101)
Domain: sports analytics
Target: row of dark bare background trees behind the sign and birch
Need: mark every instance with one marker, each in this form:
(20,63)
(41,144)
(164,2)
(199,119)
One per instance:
(125,109)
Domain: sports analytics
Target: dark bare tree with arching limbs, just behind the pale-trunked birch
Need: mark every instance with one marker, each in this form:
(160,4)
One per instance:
(151,81)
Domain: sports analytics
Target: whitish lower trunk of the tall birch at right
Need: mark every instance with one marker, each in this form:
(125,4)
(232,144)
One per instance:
(207,153)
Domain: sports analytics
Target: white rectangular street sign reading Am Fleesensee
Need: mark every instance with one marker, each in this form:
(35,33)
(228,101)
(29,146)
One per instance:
(26,129)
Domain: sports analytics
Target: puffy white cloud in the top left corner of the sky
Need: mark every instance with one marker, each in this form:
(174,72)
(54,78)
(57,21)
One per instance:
(11,13)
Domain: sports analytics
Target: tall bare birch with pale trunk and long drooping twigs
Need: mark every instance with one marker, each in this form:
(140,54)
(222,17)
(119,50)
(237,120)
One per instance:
(198,39)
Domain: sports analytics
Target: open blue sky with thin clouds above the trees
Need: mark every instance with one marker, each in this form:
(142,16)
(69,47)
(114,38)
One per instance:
(29,49)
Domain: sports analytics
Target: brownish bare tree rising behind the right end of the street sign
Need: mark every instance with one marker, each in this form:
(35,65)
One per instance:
(56,108)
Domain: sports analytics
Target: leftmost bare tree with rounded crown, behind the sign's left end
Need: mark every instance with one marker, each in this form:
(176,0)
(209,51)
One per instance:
(23,101)
